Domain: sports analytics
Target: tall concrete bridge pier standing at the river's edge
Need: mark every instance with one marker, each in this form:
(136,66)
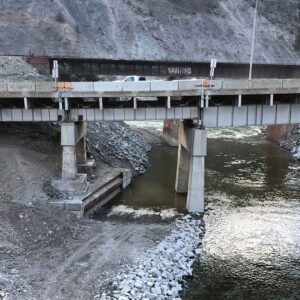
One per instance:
(191,165)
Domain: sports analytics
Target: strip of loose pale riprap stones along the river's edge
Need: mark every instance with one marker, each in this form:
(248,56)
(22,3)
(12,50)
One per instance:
(160,272)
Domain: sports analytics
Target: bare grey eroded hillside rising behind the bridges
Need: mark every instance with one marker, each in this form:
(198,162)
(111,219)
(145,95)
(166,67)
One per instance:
(190,30)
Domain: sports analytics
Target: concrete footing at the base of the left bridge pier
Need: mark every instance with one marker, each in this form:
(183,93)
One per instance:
(76,186)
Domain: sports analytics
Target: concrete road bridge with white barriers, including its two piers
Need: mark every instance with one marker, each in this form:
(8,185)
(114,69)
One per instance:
(198,103)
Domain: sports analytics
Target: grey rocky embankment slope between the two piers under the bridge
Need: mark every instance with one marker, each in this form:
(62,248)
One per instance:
(118,145)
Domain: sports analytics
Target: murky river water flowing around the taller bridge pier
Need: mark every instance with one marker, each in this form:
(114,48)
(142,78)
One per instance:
(251,249)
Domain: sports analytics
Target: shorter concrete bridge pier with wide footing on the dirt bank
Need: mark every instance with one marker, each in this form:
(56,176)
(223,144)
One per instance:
(72,137)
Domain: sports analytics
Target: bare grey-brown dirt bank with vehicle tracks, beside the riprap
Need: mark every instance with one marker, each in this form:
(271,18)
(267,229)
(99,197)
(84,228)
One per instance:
(46,253)
